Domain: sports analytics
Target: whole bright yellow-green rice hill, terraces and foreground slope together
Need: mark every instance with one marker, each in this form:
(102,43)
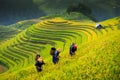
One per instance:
(97,56)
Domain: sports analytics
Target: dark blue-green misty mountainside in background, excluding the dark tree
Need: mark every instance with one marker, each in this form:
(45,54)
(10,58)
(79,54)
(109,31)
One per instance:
(12,11)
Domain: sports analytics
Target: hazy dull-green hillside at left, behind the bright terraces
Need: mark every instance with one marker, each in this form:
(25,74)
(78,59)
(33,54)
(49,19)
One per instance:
(7,32)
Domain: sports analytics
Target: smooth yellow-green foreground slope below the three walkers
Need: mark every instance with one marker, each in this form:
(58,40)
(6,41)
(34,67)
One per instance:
(92,61)
